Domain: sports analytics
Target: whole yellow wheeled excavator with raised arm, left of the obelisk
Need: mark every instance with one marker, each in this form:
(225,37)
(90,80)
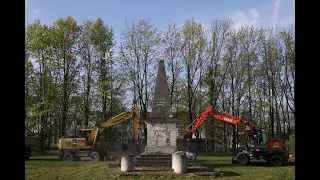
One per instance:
(88,145)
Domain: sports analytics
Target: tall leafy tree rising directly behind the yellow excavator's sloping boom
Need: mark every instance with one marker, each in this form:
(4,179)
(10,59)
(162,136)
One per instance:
(102,39)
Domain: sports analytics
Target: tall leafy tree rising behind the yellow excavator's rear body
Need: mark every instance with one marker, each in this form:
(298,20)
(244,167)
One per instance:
(65,38)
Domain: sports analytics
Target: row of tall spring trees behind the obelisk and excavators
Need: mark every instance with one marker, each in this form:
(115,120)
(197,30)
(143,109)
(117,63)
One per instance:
(77,75)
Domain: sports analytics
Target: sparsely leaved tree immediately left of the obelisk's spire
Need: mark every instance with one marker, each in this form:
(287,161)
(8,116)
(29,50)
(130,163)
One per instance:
(139,50)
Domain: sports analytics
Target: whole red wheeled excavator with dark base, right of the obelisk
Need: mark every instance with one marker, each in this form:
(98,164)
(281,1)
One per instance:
(258,145)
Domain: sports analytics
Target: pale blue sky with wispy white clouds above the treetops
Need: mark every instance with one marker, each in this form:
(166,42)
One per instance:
(265,13)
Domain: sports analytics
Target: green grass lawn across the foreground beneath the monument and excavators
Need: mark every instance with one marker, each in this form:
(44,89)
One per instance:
(48,167)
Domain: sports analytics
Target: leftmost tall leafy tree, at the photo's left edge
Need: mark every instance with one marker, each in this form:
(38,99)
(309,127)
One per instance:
(38,46)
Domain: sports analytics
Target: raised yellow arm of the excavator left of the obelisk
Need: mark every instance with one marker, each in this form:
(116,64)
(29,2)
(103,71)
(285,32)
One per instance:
(135,114)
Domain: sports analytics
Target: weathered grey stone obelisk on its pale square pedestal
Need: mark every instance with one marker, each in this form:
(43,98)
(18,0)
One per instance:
(161,126)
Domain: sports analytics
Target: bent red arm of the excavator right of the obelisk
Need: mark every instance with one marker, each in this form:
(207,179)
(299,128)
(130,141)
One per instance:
(221,115)
